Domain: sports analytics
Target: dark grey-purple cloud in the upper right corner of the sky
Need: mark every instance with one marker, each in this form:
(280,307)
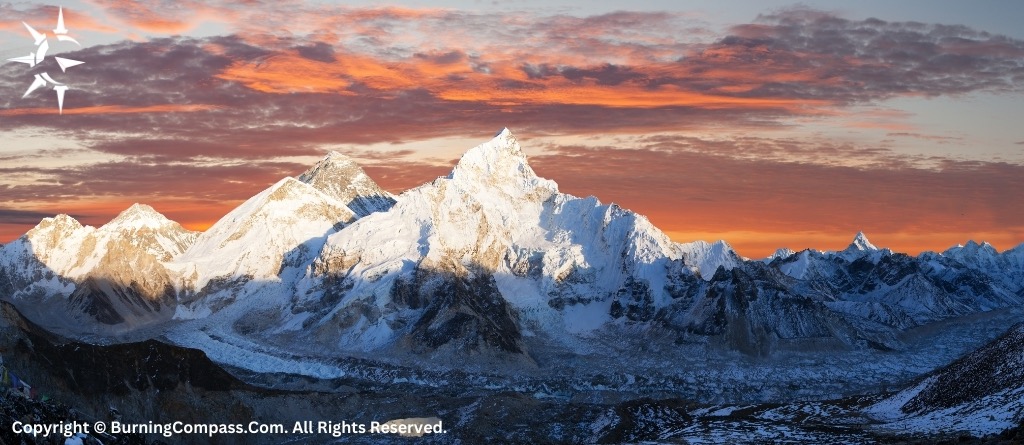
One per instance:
(872,60)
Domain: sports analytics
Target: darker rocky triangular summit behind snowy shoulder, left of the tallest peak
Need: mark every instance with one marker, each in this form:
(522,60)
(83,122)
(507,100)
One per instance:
(340,177)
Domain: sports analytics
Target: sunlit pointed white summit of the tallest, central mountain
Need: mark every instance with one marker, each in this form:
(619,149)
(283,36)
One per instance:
(499,163)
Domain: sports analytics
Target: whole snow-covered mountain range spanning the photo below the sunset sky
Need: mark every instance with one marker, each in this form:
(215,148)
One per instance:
(491,259)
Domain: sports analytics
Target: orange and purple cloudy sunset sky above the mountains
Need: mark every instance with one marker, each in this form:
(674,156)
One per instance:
(766,124)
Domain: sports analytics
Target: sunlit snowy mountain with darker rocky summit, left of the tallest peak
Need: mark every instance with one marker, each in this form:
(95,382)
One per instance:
(248,251)
